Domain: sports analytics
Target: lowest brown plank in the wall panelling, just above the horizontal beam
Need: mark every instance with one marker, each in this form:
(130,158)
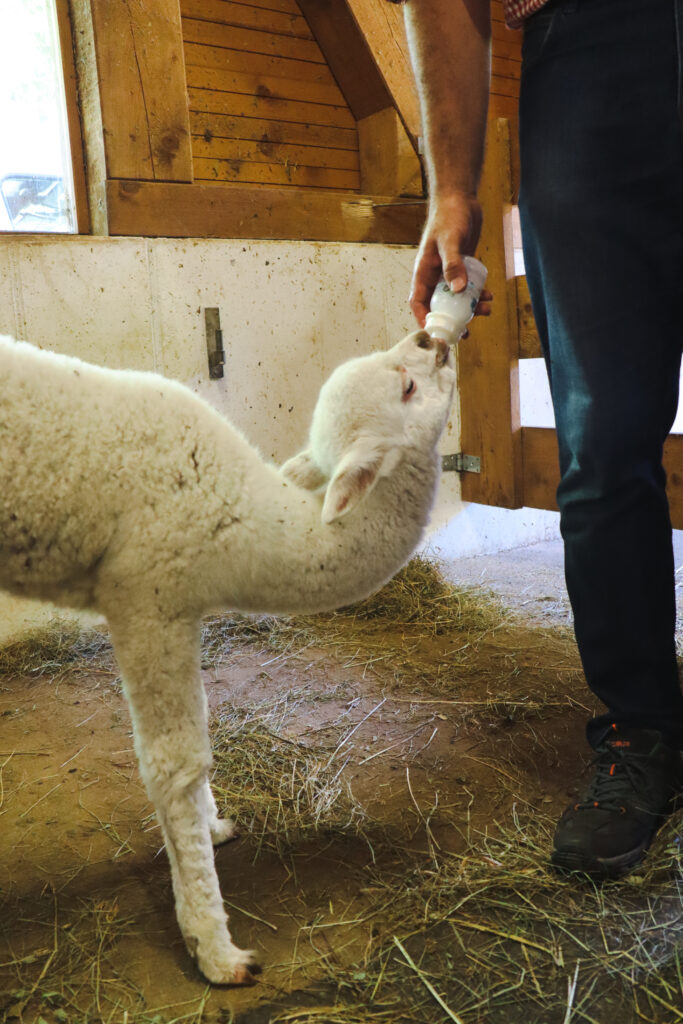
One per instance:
(276,175)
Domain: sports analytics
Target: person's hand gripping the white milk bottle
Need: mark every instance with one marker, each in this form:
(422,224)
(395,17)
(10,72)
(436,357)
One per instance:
(452,231)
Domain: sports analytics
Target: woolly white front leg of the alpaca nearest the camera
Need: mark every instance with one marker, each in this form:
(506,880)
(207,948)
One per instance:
(161,672)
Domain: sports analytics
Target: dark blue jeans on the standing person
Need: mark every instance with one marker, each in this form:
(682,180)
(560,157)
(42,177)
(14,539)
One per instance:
(602,207)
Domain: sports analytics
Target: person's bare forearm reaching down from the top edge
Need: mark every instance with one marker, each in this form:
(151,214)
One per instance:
(450,45)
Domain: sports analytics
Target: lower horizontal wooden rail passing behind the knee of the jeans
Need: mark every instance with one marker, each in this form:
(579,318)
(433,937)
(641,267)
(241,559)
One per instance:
(542,474)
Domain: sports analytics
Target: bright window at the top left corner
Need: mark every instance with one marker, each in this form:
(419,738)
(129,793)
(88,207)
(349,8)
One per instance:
(36,175)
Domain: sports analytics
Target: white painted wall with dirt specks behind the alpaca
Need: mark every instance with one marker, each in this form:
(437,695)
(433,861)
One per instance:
(290,313)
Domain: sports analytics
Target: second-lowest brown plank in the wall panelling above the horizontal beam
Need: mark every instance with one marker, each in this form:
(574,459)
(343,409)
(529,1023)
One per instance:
(277,153)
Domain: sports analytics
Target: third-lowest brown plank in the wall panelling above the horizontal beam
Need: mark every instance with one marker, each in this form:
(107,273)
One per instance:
(211,126)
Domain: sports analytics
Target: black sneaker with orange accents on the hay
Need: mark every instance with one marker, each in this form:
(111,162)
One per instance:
(636,780)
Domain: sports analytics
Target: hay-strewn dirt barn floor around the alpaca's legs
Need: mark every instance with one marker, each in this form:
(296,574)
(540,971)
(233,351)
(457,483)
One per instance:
(395,831)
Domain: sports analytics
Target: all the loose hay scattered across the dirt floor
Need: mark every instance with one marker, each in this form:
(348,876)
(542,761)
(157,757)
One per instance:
(484,936)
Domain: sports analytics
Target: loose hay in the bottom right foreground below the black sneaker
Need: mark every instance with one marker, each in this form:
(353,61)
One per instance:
(493,936)
